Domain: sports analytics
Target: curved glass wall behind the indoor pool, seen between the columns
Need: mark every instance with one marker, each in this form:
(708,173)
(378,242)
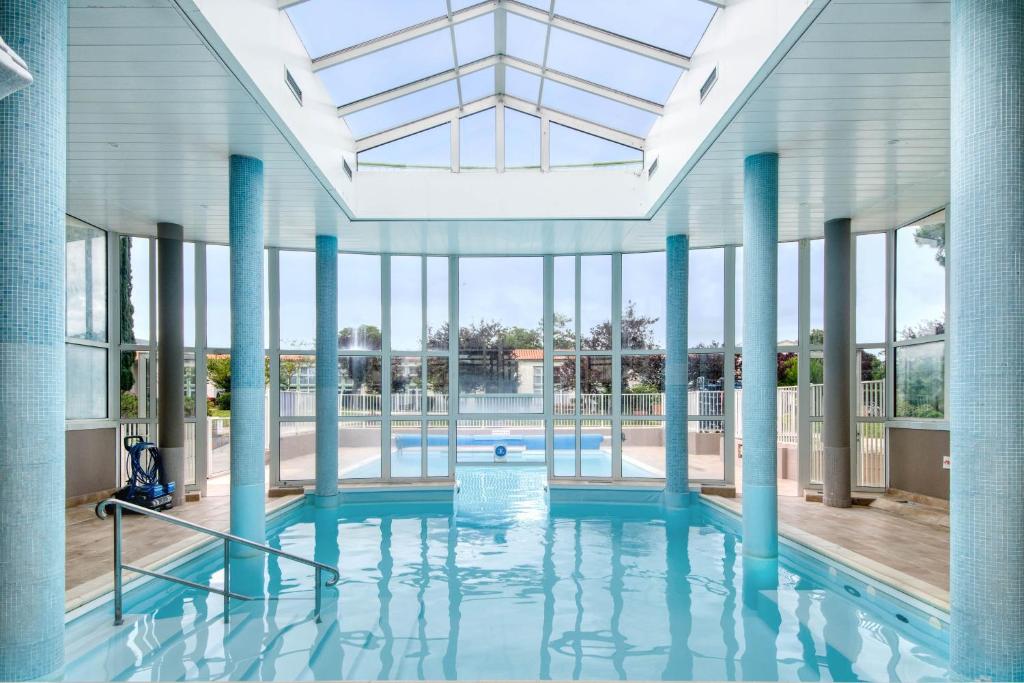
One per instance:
(593,397)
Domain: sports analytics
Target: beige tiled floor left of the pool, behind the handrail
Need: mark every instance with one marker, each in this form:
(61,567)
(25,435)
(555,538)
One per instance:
(90,543)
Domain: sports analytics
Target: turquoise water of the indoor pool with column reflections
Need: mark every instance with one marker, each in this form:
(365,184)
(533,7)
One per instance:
(507,588)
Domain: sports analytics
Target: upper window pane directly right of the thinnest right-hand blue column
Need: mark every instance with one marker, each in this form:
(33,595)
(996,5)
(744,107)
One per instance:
(706,317)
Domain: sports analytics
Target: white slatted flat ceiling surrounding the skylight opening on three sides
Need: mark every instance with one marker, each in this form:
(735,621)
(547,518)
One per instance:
(859,111)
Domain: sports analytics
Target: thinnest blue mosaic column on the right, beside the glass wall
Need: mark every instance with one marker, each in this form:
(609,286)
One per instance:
(676,455)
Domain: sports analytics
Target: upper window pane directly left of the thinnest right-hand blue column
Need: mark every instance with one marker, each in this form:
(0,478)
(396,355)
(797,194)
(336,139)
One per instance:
(644,301)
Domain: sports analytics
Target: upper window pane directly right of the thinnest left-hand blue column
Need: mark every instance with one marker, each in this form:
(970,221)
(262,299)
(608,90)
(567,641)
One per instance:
(360,302)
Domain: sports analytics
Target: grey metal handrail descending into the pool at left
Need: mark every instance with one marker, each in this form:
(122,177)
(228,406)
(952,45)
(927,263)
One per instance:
(119,566)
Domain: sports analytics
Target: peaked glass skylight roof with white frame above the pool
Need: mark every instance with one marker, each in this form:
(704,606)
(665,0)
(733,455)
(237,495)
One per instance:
(398,70)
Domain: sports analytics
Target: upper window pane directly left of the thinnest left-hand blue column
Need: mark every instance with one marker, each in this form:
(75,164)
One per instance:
(298,300)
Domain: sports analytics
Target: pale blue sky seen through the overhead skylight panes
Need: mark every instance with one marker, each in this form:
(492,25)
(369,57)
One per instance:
(328,26)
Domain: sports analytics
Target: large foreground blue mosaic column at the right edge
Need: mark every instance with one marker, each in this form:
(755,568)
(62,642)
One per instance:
(987,340)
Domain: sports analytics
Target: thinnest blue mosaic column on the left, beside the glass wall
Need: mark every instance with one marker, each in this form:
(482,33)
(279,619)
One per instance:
(327,370)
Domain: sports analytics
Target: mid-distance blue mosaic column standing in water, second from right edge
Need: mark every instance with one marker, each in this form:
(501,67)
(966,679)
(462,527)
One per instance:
(760,312)
